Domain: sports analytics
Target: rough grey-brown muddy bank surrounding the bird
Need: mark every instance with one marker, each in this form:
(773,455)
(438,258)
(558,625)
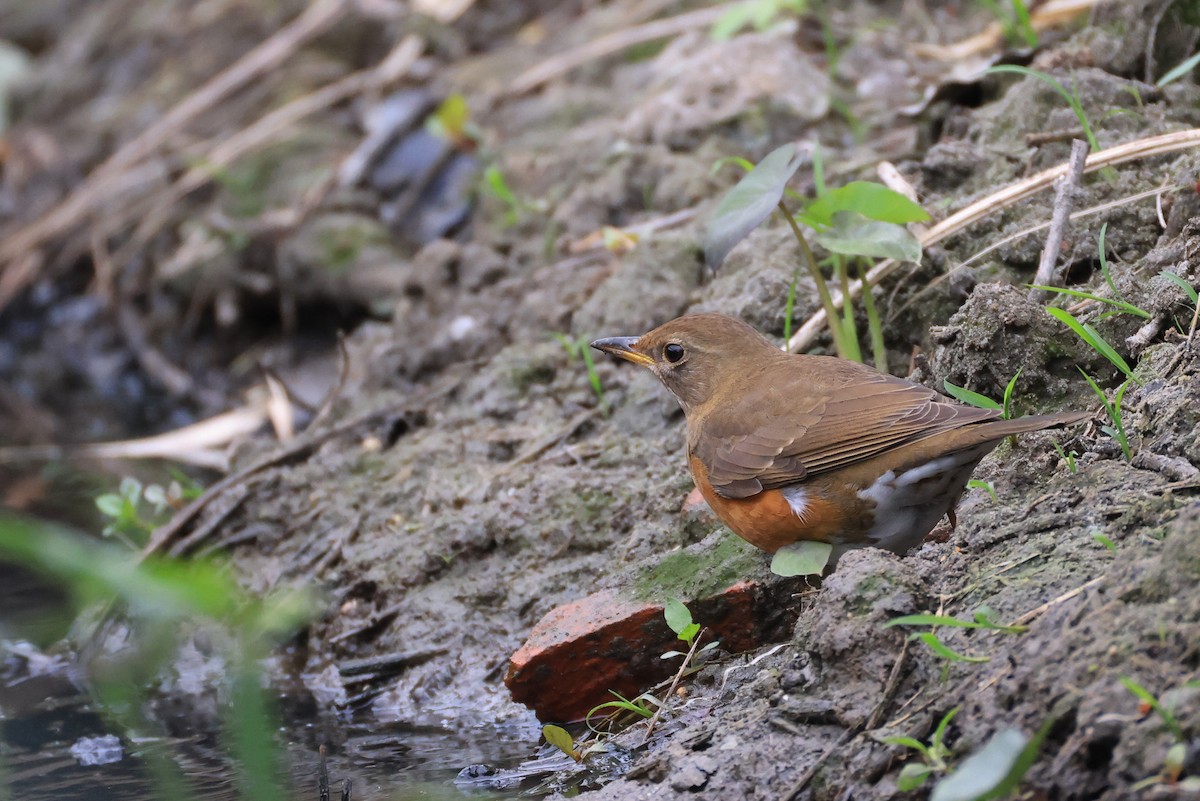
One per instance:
(470,480)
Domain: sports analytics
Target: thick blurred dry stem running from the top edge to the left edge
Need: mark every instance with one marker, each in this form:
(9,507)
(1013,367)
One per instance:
(91,196)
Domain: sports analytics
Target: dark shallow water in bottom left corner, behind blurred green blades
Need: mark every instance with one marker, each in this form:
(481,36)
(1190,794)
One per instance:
(55,746)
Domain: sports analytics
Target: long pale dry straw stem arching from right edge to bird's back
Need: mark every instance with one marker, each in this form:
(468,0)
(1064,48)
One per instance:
(1010,196)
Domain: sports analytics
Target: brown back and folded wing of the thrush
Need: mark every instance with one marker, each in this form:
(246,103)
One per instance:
(805,426)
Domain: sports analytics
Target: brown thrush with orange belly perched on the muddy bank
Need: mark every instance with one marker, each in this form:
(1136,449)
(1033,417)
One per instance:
(788,448)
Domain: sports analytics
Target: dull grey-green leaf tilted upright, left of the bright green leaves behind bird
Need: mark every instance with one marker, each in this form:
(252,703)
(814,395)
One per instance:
(751,202)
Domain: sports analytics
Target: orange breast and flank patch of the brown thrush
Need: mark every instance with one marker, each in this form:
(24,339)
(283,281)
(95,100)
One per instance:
(767,521)
